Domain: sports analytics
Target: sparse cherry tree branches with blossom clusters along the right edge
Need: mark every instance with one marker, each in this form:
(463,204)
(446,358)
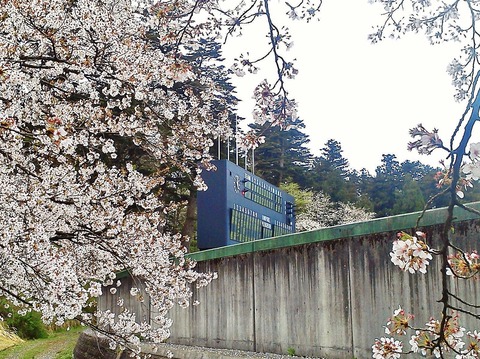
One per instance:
(443,336)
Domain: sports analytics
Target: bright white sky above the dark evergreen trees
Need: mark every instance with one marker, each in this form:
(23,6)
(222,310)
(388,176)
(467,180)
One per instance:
(365,96)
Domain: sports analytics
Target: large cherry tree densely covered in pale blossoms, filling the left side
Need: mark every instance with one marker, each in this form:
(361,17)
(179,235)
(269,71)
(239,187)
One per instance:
(100,104)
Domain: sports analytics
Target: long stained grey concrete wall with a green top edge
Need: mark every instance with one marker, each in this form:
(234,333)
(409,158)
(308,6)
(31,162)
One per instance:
(325,293)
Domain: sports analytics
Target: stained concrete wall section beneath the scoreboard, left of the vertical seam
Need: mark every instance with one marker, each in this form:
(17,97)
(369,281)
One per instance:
(221,321)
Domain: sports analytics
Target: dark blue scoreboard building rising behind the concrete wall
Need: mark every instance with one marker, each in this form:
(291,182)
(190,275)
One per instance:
(240,207)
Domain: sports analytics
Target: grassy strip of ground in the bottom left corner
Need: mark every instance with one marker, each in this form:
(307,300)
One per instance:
(58,345)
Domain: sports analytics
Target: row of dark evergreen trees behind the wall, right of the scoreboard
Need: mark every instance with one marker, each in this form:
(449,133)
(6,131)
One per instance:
(395,187)
